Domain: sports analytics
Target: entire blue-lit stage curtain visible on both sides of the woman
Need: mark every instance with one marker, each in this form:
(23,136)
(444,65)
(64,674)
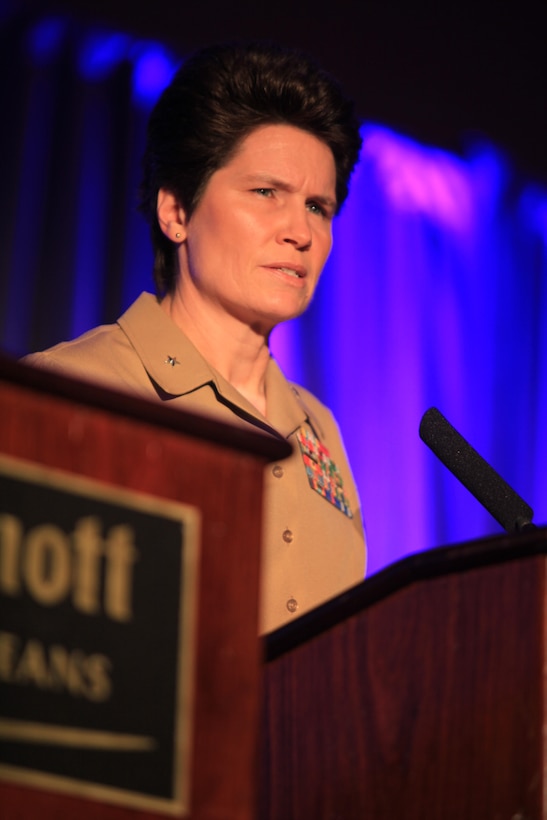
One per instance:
(435,292)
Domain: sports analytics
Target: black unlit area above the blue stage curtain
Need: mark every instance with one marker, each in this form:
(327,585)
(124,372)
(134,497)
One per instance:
(440,75)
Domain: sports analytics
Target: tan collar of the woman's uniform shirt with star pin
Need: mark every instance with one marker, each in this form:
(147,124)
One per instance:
(178,368)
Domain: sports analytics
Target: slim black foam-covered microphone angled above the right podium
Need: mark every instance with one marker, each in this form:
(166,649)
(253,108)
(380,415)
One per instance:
(482,481)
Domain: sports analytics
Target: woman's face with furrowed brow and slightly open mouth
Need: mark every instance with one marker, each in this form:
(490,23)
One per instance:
(256,243)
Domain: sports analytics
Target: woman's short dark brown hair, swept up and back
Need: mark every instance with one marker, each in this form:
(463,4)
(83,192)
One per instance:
(214,101)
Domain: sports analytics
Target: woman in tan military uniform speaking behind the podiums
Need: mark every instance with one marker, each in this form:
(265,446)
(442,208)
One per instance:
(248,159)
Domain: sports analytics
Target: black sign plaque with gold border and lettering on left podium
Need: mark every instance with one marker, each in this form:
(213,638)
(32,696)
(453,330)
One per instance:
(97,611)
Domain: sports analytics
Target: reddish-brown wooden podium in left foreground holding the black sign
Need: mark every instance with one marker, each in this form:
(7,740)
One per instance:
(117,443)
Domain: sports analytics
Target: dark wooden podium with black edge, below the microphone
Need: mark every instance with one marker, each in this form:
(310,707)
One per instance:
(419,694)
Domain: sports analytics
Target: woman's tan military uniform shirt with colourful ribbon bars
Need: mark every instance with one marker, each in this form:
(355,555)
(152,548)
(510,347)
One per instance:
(313,536)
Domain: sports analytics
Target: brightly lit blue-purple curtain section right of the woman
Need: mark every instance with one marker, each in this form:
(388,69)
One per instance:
(435,295)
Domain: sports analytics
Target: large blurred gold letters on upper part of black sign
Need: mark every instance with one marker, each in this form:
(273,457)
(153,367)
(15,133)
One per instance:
(53,566)
